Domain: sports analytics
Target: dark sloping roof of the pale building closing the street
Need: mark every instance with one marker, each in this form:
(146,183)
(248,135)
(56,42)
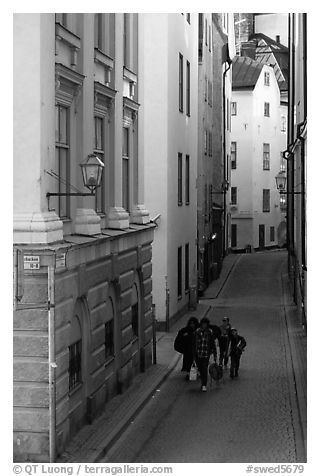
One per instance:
(245,72)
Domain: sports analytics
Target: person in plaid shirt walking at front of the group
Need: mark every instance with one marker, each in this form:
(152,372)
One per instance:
(204,345)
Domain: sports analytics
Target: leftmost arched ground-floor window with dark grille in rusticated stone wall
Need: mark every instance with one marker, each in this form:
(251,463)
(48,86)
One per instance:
(75,351)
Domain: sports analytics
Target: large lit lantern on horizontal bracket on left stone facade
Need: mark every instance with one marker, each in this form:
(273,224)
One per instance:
(91,170)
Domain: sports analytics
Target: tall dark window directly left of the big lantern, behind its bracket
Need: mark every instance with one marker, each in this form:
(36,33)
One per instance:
(63,159)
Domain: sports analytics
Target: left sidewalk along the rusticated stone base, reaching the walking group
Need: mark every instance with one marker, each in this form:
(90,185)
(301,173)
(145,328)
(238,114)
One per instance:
(92,442)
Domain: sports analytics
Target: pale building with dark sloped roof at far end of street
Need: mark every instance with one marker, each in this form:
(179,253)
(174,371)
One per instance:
(258,136)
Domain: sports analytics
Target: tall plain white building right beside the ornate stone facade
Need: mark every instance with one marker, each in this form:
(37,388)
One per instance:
(169,105)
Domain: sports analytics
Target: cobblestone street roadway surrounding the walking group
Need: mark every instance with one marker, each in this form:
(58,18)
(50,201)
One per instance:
(251,419)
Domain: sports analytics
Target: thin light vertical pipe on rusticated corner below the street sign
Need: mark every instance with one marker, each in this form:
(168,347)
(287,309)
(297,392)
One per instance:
(52,365)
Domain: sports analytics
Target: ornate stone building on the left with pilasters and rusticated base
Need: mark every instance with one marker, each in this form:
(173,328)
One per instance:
(82,264)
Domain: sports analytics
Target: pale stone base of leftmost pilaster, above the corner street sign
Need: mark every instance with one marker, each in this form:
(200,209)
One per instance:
(40,227)
